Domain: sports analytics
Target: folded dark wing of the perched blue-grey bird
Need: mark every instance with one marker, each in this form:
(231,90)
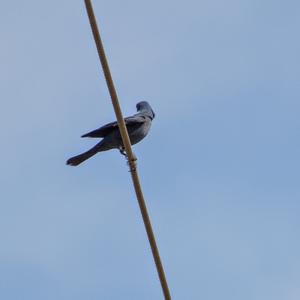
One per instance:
(103,131)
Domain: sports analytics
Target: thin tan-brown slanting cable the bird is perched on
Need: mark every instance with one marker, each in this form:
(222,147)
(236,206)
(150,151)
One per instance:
(128,149)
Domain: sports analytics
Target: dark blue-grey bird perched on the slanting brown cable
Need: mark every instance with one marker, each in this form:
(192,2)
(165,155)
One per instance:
(137,126)
